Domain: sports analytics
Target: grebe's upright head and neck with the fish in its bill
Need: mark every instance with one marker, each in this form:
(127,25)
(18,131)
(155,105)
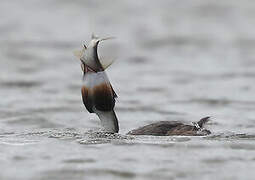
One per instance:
(98,95)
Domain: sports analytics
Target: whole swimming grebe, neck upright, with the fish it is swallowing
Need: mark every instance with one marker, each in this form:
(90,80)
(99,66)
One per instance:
(99,97)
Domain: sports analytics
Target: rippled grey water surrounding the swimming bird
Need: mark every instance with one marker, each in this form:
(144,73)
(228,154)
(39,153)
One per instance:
(176,60)
